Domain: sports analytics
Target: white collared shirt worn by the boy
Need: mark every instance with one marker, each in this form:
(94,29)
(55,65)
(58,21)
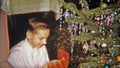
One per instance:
(23,55)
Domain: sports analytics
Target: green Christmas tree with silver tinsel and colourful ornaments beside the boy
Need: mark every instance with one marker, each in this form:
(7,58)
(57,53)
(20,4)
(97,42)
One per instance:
(94,33)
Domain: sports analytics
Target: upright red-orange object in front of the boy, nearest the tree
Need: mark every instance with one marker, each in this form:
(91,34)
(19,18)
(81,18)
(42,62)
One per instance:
(64,57)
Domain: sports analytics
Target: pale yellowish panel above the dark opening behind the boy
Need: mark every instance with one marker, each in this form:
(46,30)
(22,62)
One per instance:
(30,6)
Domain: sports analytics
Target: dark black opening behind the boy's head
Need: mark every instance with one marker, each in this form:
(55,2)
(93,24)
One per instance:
(18,24)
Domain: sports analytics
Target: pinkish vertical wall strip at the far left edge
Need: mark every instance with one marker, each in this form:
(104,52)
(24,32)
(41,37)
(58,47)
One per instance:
(4,40)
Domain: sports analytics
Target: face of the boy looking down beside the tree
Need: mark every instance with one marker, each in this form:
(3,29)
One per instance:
(39,38)
